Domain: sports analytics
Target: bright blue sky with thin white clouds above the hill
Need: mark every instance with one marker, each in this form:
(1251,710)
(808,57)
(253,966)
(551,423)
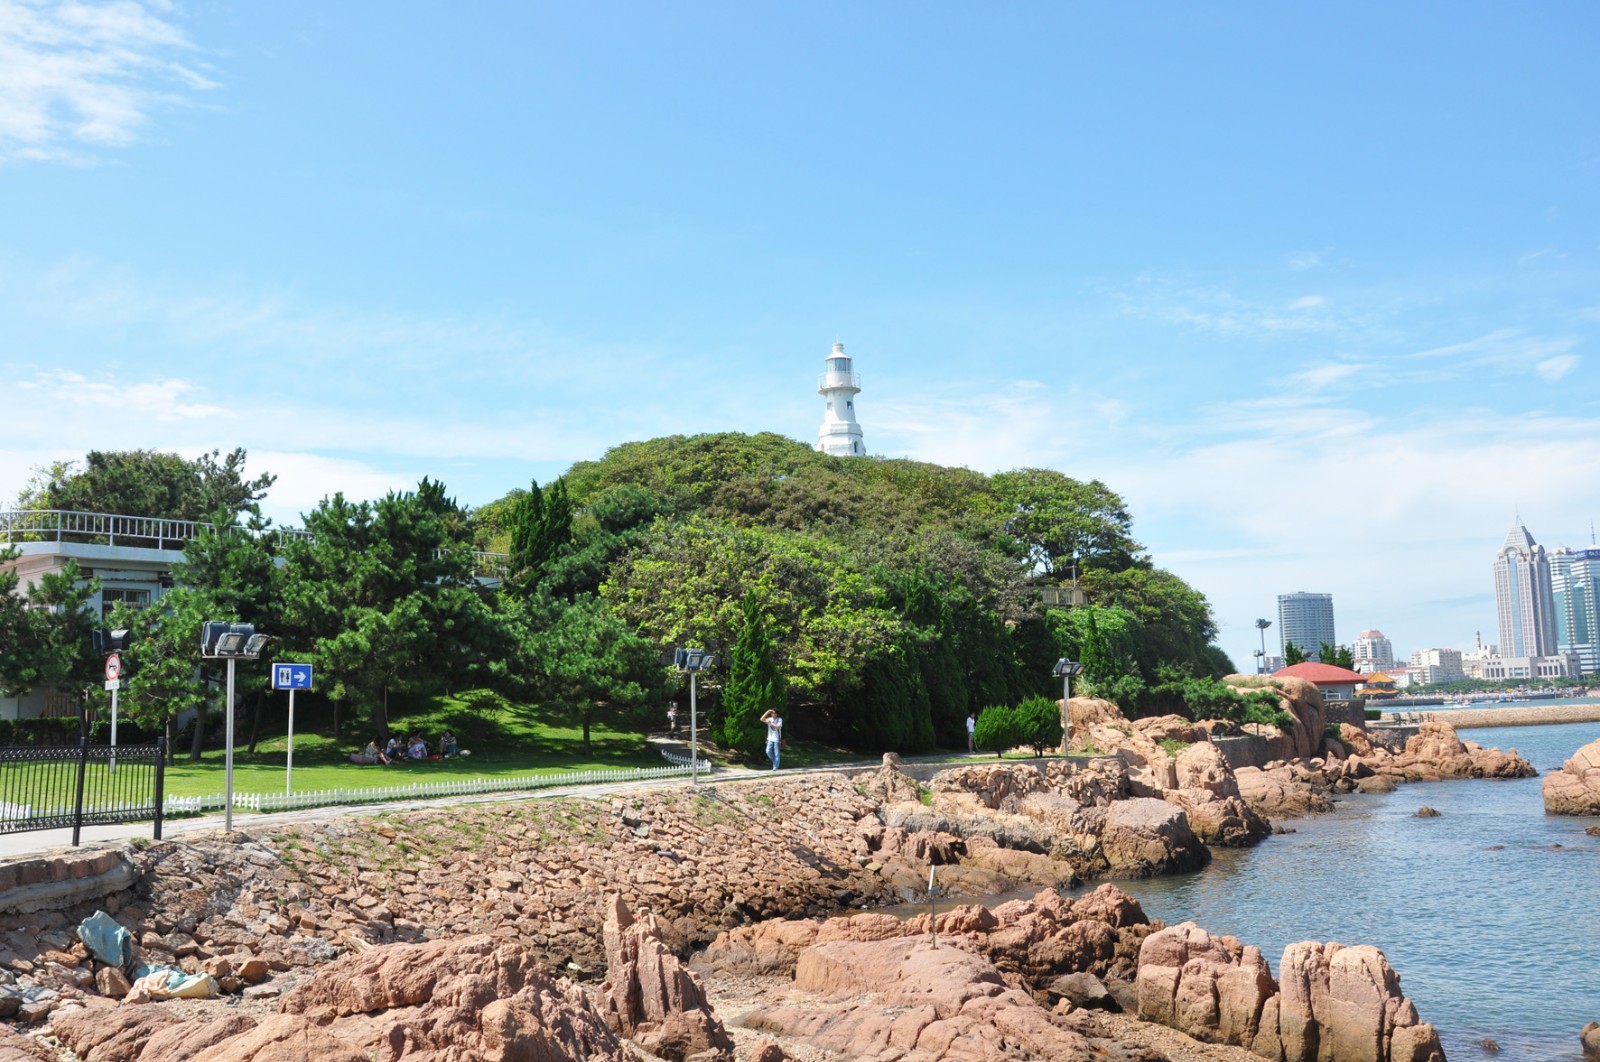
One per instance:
(1316,290)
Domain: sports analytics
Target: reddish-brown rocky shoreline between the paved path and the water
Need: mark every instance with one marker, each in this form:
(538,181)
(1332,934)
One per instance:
(484,930)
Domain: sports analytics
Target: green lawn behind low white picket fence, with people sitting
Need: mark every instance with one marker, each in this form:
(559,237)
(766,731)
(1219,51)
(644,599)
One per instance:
(505,740)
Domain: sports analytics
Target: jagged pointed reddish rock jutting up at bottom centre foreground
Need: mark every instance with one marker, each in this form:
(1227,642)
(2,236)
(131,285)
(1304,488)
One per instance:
(650,997)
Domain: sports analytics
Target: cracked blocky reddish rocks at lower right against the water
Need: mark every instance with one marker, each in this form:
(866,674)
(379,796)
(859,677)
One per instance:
(1330,1004)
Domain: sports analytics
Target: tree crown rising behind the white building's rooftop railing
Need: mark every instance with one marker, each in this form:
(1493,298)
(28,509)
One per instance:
(148,484)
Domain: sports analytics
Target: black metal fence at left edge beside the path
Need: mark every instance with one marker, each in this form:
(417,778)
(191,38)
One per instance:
(50,788)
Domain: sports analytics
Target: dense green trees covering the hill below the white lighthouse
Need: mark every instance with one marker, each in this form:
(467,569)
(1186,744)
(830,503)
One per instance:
(882,601)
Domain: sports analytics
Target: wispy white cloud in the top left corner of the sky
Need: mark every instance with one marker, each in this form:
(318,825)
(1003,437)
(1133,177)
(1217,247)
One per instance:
(81,78)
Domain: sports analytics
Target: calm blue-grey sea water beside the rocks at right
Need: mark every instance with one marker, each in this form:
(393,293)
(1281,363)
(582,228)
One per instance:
(1487,912)
